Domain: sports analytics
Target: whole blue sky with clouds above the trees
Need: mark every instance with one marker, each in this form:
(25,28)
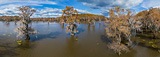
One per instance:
(53,8)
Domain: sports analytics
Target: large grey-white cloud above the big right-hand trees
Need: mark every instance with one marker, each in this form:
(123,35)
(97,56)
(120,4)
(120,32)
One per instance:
(104,5)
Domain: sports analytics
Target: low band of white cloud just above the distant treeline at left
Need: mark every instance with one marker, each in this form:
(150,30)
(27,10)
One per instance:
(12,10)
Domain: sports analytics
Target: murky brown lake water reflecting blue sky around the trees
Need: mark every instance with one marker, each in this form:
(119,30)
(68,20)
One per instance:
(53,41)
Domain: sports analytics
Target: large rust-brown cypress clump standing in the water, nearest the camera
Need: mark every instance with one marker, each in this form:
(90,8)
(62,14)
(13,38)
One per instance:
(121,26)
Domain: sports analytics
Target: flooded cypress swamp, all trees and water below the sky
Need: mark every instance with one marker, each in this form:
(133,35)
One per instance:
(123,33)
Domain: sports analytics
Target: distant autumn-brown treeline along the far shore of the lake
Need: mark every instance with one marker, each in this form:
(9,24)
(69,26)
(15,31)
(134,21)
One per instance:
(81,17)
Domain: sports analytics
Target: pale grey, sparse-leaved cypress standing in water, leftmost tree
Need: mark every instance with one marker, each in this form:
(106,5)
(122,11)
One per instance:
(24,29)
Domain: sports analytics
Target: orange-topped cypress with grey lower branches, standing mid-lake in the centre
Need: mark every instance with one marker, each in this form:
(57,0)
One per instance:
(67,17)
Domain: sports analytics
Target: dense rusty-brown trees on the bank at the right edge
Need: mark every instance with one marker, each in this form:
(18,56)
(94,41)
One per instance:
(150,20)
